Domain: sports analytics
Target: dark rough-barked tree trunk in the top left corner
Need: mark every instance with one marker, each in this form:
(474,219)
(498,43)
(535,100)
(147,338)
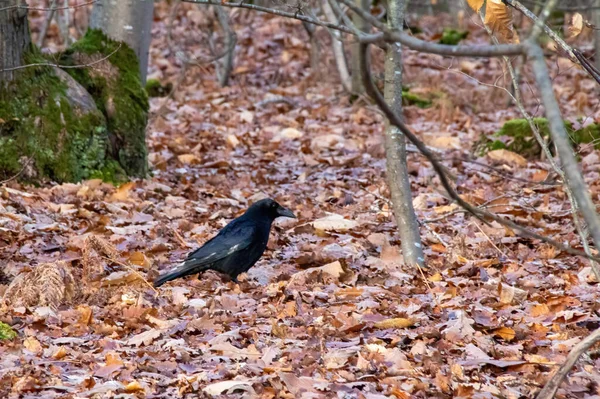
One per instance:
(14,38)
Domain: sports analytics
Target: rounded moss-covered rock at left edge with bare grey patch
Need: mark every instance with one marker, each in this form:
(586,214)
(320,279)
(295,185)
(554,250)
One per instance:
(50,127)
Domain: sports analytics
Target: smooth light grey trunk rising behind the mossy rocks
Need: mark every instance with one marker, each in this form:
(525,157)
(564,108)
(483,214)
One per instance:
(127,21)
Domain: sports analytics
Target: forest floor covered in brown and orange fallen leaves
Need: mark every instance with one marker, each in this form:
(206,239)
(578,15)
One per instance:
(330,310)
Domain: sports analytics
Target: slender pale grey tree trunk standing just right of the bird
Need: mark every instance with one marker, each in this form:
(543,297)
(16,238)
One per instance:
(395,145)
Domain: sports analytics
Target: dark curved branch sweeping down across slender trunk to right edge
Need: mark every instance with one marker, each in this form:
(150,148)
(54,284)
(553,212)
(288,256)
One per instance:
(439,169)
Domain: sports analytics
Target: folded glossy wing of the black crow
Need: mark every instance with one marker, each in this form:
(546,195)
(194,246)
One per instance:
(236,236)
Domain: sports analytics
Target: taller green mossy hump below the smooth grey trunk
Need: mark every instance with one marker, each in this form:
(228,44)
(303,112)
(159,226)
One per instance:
(115,84)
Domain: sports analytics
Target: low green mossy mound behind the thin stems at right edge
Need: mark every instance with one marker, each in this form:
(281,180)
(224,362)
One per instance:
(516,135)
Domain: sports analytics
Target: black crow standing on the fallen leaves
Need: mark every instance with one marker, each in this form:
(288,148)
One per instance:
(236,248)
